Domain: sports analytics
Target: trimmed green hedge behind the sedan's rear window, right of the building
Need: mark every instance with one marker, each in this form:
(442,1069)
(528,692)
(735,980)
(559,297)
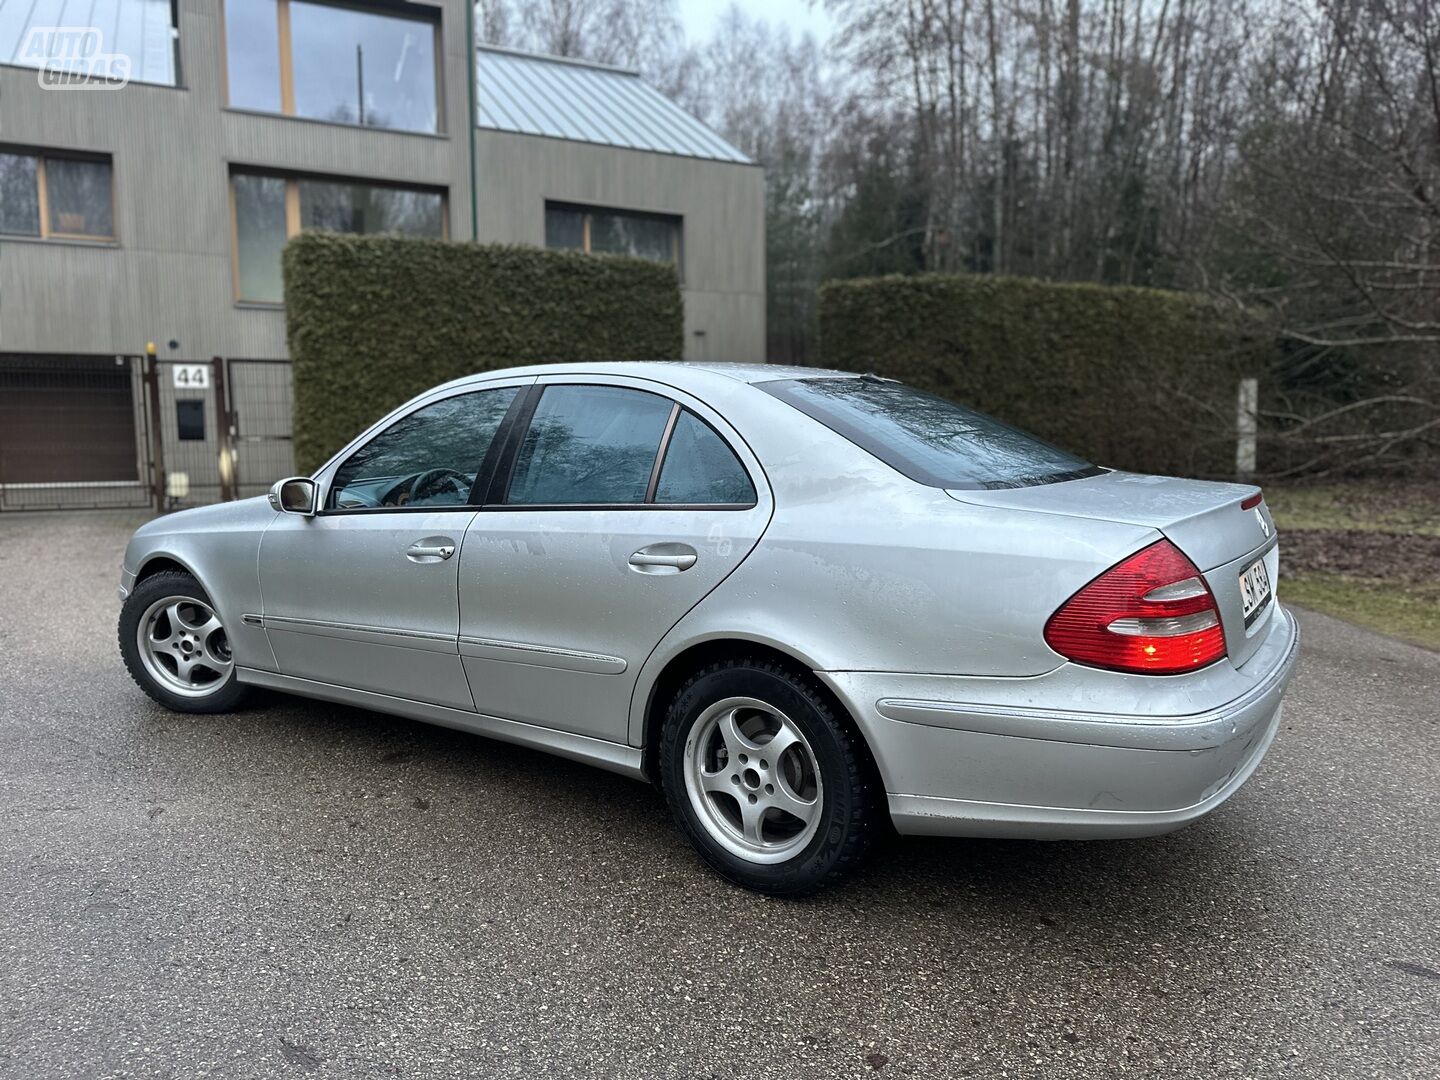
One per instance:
(1128,378)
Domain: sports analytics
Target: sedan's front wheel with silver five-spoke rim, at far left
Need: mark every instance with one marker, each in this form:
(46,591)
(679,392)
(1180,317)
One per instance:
(176,649)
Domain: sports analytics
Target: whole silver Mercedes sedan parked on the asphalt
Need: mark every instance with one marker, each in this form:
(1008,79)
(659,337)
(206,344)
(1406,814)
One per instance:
(806,604)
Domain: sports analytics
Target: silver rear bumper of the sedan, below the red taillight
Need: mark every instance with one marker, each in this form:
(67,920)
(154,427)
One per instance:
(1025,768)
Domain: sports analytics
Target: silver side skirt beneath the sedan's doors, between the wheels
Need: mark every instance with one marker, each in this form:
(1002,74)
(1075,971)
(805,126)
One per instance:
(627,761)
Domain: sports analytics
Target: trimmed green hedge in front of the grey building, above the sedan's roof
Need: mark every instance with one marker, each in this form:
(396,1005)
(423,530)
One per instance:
(377,320)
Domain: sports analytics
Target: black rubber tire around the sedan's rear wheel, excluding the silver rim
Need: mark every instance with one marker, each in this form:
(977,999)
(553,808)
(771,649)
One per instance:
(850,814)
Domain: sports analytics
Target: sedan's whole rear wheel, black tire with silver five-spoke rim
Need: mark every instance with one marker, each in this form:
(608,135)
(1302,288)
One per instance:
(765,780)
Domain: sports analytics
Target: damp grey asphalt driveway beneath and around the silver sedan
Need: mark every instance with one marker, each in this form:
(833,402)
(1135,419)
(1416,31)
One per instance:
(315,891)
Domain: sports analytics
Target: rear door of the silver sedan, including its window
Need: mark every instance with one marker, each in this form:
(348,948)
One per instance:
(624,503)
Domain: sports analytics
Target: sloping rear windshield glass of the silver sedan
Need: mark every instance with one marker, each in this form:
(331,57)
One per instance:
(928,438)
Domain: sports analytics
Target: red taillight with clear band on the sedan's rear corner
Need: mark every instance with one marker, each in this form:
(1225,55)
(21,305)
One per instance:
(1151,614)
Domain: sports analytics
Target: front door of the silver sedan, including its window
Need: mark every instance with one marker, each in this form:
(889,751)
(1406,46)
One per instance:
(365,594)
